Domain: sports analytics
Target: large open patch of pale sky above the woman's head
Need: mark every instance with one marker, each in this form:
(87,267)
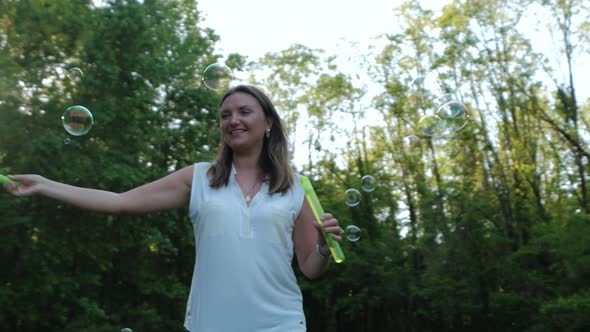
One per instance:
(255,27)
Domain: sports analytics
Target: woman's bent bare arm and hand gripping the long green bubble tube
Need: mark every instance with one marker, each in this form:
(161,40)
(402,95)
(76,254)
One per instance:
(308,239)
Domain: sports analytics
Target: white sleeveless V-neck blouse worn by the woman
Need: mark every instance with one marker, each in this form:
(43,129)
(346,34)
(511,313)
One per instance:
(243,280)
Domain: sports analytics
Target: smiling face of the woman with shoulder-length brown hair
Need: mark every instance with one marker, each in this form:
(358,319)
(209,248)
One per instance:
(242,121)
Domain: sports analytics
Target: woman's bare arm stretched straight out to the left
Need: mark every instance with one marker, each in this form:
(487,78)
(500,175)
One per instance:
(169,192)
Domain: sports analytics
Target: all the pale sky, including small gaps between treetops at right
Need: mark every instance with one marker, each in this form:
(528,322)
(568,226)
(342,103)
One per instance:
(256,27)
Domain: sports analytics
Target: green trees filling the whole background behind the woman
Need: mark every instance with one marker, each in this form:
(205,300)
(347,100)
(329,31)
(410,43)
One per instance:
(486,229)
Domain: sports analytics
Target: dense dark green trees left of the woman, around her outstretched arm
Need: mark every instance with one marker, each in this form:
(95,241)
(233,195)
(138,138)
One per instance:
(73,270)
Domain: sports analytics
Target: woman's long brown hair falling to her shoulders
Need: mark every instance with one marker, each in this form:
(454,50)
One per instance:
(274,159)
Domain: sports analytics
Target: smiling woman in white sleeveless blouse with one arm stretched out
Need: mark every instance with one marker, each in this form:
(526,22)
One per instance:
(249,215)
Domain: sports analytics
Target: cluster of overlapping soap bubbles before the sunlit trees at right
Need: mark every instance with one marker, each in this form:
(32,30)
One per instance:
(448,116)
